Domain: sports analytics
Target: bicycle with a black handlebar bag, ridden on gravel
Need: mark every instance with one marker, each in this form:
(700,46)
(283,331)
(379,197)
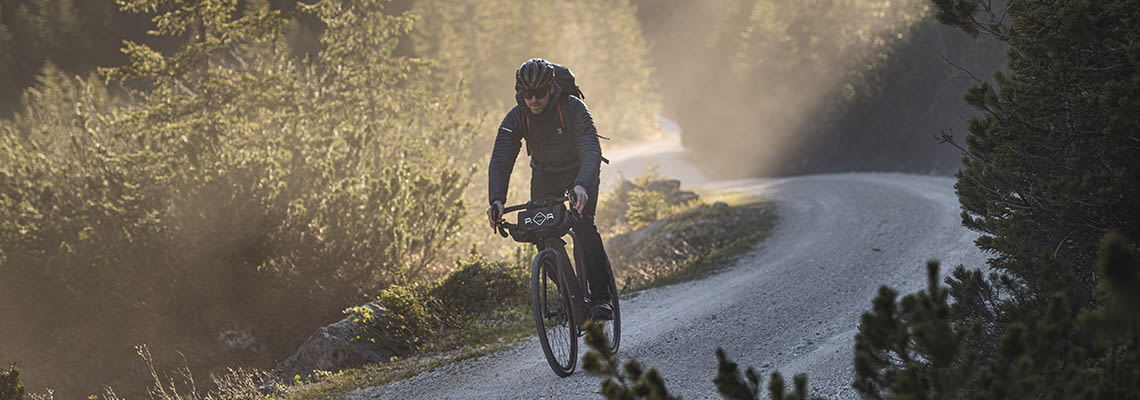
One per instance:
(558,289)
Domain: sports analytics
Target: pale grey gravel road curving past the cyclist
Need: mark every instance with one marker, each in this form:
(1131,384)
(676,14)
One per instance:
(792,305)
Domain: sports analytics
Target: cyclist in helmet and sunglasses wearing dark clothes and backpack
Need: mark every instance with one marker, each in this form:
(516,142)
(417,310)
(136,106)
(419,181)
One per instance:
(560,161)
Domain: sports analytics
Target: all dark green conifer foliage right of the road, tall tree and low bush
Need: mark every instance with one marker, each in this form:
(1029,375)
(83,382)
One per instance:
(1049,178)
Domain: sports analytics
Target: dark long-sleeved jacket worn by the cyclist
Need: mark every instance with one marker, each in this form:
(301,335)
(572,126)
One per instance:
(552,150)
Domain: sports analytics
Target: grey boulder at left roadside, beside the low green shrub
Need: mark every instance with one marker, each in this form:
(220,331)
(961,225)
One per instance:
(332,348)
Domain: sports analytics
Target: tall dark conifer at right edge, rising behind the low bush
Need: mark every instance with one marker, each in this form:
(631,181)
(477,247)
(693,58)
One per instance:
(1052,165)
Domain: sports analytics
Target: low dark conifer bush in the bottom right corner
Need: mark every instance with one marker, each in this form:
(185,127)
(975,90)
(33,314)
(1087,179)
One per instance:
(914,350)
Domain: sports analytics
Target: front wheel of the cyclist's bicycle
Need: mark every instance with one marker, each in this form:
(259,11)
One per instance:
(553,315)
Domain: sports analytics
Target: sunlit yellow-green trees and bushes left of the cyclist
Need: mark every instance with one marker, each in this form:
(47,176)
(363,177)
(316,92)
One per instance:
(235,199)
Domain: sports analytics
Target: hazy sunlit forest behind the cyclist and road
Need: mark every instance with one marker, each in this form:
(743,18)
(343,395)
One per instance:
(222,186)
